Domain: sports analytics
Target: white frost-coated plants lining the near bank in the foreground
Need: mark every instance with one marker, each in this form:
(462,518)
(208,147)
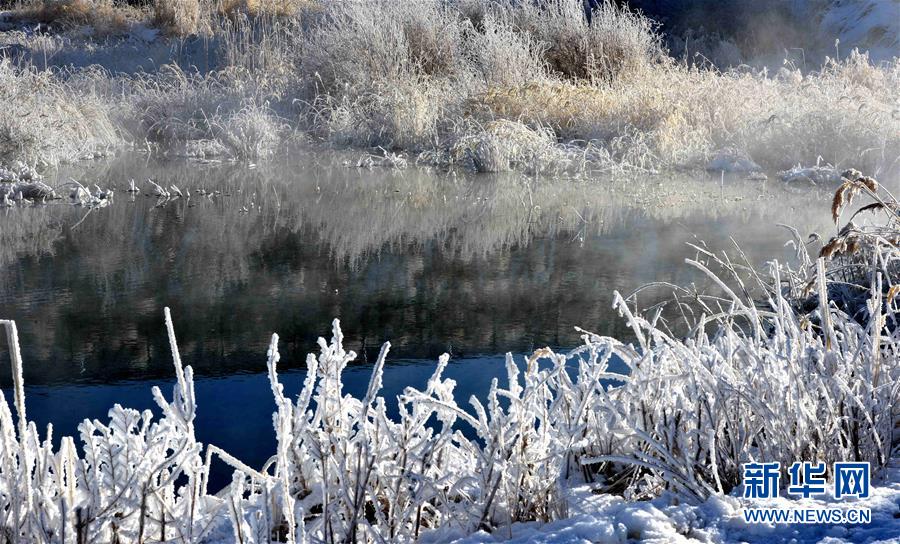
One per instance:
(753,380)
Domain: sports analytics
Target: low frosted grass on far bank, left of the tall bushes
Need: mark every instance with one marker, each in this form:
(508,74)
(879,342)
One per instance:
(91,113)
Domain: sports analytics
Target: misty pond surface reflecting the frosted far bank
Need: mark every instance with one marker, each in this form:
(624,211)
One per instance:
(433,262)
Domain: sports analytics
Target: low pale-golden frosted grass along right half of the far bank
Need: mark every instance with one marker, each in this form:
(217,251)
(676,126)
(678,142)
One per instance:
(675,114)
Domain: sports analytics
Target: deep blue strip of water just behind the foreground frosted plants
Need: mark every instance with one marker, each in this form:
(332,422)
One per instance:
(235,412)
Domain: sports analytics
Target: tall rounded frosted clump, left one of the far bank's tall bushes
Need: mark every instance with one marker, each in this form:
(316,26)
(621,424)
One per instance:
(384,74)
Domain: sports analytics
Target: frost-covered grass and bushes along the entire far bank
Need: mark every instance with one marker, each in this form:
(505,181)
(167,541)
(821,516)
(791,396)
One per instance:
(438,80)
